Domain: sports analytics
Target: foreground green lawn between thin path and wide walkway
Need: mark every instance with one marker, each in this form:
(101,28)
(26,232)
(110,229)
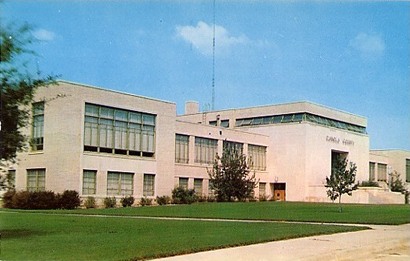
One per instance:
(40,236)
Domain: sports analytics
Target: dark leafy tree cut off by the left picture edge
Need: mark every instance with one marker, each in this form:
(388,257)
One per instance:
(16,90)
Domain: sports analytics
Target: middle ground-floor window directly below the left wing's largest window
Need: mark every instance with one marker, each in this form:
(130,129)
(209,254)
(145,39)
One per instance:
(119,183)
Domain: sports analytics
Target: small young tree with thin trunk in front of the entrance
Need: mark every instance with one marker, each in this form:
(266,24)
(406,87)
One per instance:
(341,180)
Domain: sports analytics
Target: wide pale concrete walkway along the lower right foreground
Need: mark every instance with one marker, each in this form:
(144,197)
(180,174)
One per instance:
(379,243)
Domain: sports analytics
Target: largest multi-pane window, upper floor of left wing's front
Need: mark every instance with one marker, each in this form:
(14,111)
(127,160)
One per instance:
(118,131)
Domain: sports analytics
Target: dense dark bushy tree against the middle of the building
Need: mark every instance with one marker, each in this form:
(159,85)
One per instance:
(230,176)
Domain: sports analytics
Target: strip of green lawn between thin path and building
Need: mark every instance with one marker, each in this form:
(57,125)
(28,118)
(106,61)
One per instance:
(279,211)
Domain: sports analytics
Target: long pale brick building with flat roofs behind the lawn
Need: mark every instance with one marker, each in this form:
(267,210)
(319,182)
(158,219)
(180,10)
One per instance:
(106,143)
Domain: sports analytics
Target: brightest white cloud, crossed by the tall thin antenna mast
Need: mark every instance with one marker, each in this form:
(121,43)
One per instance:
(201,35)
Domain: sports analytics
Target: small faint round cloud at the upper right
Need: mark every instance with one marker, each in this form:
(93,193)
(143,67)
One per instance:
(369,46)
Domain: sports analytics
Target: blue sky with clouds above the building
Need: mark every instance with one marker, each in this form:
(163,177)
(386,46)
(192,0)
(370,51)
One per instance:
(352,56)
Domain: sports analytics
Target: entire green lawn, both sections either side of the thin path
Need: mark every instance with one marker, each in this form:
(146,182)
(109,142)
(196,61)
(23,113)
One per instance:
(118,235)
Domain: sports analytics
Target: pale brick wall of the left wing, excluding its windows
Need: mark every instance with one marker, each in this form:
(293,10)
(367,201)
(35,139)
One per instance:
(63,156)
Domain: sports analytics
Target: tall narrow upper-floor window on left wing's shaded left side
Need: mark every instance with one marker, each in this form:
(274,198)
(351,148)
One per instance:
(37,141)
